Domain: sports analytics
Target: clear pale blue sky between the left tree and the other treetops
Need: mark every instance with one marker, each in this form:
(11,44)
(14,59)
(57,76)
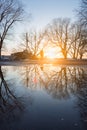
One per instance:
(43,12)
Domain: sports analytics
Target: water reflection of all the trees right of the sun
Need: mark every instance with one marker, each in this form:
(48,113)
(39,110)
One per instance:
(71,80)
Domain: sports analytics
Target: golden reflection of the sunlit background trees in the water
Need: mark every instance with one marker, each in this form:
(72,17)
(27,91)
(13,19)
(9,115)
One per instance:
(60,82)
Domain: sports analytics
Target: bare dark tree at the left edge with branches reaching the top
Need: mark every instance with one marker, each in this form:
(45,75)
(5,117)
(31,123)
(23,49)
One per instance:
(10,13)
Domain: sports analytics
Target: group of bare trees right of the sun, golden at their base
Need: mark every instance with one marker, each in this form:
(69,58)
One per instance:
(71,38)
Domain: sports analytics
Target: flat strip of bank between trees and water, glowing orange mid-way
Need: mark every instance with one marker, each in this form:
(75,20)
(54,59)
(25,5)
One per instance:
(45,61)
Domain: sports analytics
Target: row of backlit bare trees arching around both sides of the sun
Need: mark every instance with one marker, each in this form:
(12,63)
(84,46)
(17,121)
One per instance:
(69,38)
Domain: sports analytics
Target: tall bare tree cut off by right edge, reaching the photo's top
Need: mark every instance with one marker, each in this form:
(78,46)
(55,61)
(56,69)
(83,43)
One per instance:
(82,14)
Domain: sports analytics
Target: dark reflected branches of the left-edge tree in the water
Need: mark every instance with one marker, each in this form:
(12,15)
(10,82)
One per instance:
(7,98)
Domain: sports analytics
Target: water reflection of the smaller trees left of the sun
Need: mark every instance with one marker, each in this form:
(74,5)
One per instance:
(34,76)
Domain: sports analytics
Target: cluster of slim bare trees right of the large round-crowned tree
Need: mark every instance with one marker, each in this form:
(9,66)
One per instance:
(79,40)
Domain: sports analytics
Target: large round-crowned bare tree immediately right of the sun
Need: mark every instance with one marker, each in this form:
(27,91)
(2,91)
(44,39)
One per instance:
(59,34)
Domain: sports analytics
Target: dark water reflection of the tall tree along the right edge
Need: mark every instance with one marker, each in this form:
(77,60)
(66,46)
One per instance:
(82,94)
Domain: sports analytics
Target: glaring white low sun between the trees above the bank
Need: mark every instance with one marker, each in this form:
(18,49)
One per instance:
(50,53)
